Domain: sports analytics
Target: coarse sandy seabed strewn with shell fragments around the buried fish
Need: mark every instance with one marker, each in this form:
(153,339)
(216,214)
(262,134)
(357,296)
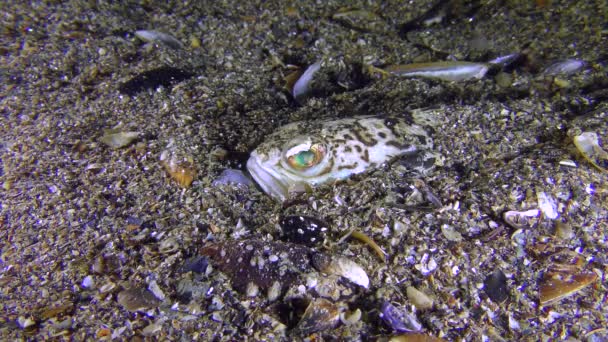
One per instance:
(99,242)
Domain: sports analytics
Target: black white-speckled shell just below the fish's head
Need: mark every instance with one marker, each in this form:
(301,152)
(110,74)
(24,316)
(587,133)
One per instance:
(305,230)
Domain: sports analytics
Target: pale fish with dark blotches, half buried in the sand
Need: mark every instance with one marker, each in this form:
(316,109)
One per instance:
(312,153)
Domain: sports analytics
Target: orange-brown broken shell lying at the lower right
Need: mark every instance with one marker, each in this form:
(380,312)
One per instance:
(559,285)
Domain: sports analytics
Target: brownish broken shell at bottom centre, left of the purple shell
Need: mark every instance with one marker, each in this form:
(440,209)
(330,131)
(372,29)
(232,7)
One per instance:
(321,314)
